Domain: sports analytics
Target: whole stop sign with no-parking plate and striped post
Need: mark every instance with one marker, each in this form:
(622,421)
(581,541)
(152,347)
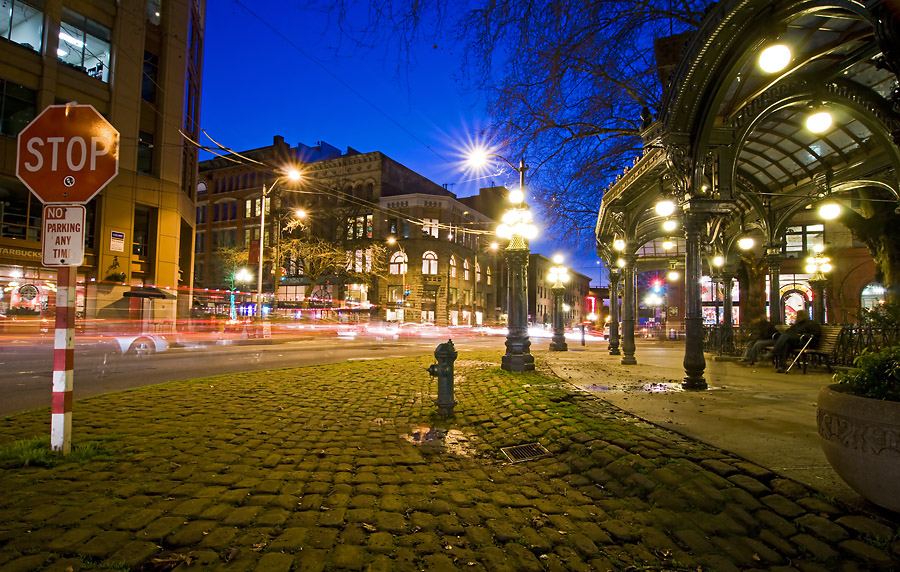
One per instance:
(65,156)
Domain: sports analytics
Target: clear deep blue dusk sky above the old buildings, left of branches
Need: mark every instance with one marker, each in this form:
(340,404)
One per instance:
(270,68)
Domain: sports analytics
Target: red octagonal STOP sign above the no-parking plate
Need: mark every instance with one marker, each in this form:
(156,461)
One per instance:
(67,154)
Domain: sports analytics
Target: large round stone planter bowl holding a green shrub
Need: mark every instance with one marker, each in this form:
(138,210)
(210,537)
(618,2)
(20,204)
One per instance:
(861,440)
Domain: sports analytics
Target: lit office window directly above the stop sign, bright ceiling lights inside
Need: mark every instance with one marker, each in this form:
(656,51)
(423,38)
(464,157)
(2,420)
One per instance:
(84,44)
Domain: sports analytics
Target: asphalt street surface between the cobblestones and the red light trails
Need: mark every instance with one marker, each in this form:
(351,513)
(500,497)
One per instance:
(28,367)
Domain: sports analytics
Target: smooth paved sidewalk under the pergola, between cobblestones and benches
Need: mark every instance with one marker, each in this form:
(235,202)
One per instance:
(753,412)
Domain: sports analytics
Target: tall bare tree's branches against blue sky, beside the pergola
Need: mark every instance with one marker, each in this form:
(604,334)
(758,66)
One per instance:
(569,83)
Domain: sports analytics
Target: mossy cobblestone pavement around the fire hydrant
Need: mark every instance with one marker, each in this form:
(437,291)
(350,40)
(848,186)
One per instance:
(347,467)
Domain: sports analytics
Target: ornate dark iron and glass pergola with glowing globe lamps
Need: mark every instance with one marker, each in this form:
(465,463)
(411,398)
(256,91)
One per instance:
(731,146)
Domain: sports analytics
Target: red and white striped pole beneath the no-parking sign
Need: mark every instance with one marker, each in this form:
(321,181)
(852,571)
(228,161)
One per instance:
(63,361)
